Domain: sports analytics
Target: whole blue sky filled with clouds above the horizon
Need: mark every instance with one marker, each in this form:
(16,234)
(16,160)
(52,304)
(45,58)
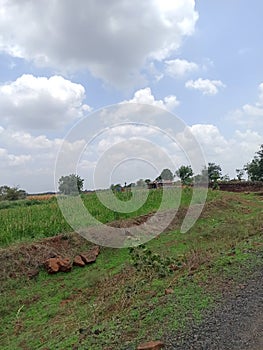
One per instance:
(63,62)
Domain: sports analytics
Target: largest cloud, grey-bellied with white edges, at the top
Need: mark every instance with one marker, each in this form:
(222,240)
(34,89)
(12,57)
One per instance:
(112,39)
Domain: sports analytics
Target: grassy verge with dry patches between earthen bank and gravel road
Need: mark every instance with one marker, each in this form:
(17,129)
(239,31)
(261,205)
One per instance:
(112,305)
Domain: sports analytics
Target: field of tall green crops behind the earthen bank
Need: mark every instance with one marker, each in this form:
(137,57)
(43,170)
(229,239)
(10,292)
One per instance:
(27,220)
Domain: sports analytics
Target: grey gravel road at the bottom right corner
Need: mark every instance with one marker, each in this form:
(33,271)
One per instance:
(236,323)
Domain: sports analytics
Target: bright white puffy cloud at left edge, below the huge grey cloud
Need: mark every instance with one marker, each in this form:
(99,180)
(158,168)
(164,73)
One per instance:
(41,103)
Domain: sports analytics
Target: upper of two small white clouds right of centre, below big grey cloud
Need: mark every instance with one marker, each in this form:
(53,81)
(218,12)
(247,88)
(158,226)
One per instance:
(178,68)
